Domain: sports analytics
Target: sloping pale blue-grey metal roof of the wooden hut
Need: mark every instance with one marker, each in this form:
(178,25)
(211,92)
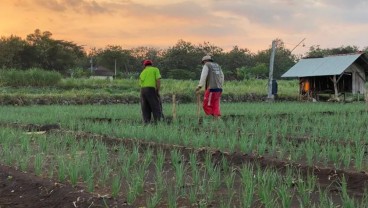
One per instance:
(331,65)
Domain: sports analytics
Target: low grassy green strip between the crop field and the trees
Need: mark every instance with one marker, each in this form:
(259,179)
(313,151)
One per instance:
(93,91)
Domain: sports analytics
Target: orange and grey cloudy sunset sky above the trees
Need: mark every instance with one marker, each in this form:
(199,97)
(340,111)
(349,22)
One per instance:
(251,24)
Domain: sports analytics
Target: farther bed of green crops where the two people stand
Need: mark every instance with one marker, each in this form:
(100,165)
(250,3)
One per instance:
(263,133)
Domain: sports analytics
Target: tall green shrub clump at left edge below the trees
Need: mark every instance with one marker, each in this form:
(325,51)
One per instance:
(33,77)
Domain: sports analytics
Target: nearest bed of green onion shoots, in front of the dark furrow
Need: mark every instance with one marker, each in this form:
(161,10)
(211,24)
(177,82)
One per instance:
(154,177)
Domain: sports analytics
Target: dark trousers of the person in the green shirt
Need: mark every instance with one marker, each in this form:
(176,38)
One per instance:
(150,104)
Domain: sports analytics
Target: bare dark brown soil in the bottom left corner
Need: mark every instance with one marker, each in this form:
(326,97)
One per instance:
(18,190)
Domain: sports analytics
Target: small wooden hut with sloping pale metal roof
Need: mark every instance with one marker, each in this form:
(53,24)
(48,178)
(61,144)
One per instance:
(333,75)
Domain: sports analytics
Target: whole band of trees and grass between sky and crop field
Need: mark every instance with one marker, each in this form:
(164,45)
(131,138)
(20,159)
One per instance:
(57,71)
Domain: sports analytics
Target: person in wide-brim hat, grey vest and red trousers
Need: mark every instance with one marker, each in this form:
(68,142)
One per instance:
(212,79)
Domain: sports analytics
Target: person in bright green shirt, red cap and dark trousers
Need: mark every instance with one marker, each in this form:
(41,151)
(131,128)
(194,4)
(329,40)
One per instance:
(149,81)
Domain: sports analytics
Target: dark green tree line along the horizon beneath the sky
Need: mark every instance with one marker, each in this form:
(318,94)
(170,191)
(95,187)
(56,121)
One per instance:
(181,61)
